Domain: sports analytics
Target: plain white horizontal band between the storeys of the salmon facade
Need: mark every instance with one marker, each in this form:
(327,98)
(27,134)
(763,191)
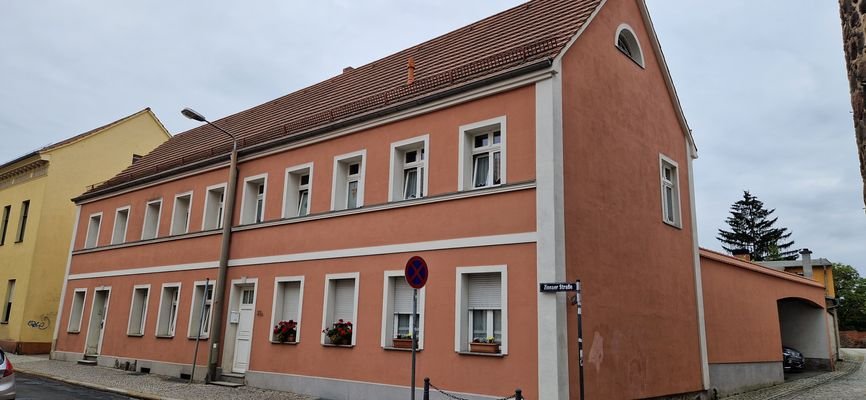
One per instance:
(446,244)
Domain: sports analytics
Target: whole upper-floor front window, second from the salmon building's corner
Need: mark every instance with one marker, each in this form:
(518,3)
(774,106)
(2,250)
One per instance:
(408,169)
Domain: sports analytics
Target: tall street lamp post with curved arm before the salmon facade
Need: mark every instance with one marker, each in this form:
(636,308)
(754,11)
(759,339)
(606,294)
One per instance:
(228,212)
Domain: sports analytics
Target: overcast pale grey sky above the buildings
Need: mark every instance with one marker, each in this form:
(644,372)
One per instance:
(763,87)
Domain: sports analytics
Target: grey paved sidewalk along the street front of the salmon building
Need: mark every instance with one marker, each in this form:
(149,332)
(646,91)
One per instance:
(137,385)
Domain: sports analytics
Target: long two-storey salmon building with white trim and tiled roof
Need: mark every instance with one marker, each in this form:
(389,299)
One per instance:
(542,144)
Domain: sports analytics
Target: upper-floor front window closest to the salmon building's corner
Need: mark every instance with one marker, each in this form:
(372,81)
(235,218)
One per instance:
(482,154)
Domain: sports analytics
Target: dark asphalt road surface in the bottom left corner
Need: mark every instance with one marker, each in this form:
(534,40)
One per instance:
(33,387)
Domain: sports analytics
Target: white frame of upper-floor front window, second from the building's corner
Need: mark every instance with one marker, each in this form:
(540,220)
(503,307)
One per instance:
(396,179)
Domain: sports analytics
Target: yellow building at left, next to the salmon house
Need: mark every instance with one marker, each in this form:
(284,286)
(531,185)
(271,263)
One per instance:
(37,216)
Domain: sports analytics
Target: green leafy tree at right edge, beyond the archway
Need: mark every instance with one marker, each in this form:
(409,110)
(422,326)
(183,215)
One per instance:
(851,290)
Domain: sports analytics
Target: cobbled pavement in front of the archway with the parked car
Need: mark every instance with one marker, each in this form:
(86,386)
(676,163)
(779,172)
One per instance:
(796,389)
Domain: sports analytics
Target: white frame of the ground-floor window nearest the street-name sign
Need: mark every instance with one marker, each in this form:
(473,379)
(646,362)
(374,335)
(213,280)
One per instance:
(461,311)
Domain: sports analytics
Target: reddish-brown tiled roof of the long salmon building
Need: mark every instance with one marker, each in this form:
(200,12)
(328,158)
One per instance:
(521,36)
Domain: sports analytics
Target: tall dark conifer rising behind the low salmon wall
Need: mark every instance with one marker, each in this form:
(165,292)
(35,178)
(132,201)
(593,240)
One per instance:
(752,229)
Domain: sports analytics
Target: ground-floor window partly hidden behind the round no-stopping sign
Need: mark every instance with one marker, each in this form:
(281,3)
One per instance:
(397,318)
